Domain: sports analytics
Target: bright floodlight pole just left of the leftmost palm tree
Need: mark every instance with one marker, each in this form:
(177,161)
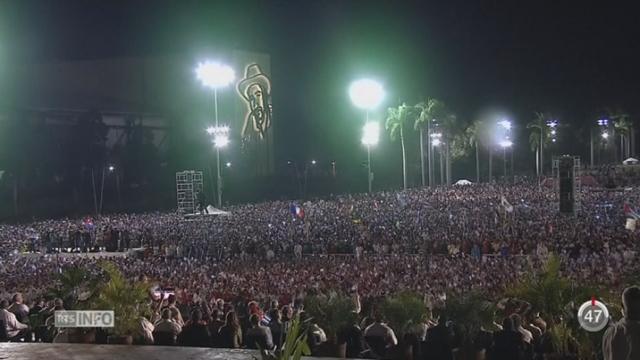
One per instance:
(367,94)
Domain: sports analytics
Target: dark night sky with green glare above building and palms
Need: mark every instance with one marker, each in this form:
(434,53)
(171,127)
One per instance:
(567,57)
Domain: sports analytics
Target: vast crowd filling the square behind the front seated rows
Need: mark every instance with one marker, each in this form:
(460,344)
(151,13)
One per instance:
(432,241)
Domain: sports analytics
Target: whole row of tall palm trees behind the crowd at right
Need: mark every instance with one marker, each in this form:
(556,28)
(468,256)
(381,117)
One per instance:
(438,126)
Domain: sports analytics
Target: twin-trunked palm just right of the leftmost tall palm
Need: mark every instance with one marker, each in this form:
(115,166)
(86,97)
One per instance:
(429,111)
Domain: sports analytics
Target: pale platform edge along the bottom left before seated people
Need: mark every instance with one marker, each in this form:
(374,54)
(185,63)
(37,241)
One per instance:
(40,351)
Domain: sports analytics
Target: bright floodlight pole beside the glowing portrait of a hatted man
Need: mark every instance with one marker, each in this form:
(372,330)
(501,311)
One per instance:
(215,75)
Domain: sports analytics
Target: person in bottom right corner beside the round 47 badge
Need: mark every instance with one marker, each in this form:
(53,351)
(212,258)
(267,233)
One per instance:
(621,341)
